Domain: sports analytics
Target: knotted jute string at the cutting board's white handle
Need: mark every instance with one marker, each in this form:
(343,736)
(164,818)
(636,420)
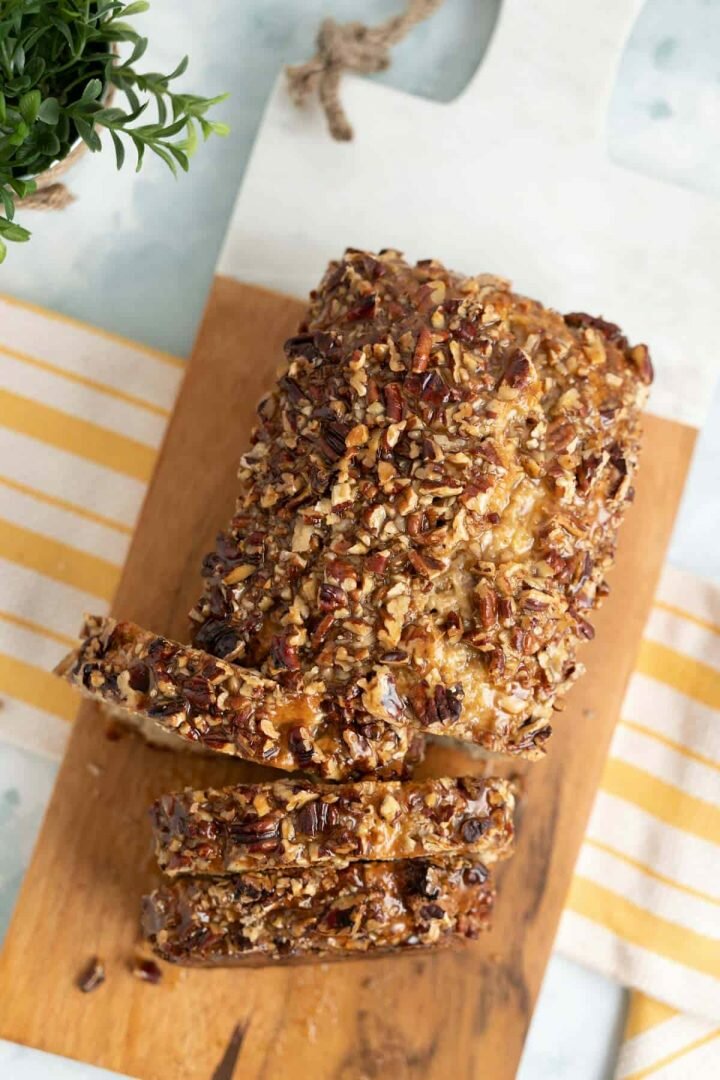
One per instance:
(351,47)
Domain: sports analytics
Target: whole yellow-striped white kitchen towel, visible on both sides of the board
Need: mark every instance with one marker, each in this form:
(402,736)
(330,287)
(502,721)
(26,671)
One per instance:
(83,414)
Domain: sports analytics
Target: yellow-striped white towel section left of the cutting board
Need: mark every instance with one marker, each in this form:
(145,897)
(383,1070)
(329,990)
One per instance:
(83,415)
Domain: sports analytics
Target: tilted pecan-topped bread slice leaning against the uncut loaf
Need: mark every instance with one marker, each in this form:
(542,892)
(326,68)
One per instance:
(220,707)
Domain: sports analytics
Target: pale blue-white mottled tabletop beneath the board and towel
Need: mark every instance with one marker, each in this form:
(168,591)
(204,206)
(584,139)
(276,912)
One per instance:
(135,255)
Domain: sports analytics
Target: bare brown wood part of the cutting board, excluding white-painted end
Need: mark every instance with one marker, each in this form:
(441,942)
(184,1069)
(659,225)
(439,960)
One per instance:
(461,1015)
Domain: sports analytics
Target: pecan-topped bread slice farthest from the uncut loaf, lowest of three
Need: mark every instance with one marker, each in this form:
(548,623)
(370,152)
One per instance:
(321,913)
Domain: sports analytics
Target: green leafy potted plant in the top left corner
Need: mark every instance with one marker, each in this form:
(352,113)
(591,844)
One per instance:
(64,76)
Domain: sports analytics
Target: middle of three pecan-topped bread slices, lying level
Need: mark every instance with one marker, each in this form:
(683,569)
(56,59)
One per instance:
(302,823)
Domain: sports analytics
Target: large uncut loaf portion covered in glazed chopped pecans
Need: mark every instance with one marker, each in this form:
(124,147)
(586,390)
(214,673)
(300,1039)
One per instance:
(430,505)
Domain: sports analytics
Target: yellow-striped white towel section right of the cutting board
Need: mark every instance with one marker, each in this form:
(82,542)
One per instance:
(645,904)
